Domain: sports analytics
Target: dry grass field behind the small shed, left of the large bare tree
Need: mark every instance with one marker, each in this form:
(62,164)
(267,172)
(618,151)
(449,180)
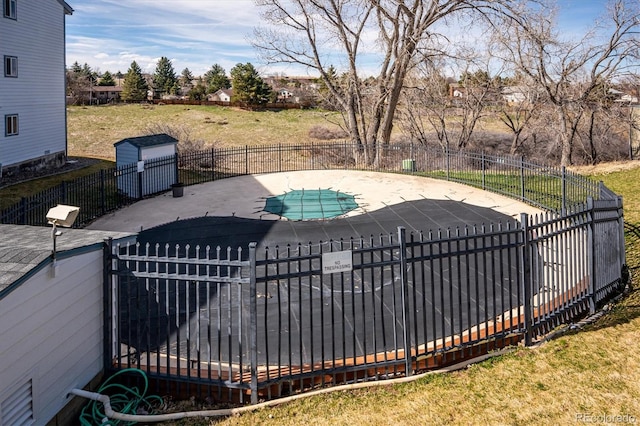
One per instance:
(92,131)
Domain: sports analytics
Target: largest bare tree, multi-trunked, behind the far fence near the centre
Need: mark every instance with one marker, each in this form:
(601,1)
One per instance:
(316,33)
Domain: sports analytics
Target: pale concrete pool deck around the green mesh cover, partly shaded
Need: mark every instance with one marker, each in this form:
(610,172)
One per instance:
(245,197)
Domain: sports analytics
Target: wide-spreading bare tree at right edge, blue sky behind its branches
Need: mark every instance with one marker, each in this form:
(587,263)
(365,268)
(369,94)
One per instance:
(574,74)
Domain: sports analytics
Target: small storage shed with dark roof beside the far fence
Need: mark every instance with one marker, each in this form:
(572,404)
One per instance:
(146,164)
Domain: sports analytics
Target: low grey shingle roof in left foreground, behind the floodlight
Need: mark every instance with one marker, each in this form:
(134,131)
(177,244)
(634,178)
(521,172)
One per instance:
(23,248)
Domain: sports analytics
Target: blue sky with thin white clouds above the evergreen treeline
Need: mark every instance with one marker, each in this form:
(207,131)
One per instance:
(109,34)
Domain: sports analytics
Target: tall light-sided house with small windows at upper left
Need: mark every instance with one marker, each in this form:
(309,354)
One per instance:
(32,83)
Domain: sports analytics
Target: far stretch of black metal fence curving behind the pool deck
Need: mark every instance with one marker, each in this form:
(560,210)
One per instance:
(548,187)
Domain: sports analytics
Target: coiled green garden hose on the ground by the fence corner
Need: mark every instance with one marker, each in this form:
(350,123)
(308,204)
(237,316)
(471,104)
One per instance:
(123,399)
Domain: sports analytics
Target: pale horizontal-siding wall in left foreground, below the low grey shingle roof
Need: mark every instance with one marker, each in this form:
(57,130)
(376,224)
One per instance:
(52,333)
